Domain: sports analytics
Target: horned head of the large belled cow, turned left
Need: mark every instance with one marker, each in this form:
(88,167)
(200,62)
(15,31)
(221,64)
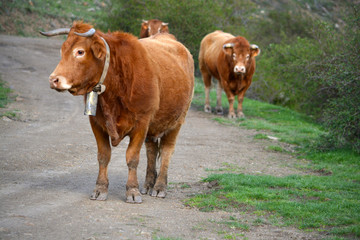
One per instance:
(82,60)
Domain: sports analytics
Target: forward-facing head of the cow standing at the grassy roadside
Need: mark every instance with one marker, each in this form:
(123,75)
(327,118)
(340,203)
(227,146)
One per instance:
(240,54)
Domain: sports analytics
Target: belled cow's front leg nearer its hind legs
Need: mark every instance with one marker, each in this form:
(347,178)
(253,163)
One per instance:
(132,159)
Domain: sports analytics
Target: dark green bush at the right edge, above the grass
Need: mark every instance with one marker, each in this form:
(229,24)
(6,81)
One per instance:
(340,88)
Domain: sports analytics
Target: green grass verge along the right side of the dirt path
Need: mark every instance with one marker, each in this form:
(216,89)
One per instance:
(327,200)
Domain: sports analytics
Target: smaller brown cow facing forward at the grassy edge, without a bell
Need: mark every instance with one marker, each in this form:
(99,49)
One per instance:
(231,60)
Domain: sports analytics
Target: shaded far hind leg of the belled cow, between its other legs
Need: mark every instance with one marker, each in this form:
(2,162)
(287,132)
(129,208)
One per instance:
(152,151)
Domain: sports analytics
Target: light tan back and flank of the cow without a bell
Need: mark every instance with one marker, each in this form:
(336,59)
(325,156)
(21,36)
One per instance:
(210,48)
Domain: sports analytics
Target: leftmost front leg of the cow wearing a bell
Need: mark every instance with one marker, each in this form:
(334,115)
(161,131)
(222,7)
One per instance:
(104,154)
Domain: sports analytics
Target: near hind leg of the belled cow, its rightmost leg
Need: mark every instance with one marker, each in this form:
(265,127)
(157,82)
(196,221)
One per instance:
(167,146)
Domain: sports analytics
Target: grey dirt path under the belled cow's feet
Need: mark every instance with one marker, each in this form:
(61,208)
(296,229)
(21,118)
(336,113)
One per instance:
(49,168)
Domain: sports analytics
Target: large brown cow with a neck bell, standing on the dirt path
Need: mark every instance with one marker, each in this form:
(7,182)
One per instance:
(149,87)
